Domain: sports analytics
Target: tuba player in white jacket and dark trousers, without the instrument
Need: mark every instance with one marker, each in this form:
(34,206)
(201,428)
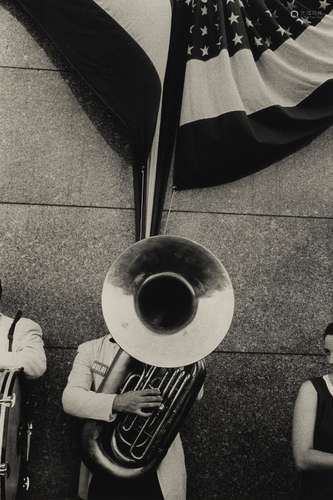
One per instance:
(80,399)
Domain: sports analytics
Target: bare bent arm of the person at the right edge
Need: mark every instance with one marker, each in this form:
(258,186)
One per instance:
(305,456)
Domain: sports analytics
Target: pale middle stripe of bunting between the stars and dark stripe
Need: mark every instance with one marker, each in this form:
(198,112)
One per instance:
(238,83)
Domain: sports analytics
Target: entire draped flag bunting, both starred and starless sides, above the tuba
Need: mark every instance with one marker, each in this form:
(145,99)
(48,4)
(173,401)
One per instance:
(242,83)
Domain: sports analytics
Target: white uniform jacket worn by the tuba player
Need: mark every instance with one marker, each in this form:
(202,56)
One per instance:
(89,367)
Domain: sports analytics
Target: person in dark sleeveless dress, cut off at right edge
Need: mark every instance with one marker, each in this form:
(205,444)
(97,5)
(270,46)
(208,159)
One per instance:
(313,432)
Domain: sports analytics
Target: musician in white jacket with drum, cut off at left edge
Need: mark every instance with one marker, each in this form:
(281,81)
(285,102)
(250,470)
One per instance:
(21,355)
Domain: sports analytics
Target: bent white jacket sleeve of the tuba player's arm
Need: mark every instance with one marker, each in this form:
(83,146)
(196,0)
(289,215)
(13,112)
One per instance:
(78,399)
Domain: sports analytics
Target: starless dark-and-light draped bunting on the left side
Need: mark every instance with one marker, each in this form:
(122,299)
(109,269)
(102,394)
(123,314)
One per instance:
(118,51)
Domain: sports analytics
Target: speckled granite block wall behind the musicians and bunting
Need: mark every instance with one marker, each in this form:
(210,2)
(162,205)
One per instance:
(66,212)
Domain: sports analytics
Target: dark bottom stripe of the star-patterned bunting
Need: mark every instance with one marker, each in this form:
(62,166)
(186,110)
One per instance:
(210,152)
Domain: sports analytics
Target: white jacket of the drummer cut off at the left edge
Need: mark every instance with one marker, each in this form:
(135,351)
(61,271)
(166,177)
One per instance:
(27,348)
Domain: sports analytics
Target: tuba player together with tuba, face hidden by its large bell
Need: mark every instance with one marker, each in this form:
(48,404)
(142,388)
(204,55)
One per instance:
(167,302)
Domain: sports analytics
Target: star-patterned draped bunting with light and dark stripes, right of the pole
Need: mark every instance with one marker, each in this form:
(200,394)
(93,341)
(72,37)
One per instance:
(258,84)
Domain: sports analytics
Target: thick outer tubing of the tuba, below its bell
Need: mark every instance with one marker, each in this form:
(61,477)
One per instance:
(99,451)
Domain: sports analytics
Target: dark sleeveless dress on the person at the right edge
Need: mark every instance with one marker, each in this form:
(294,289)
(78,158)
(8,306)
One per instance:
(318,485)
